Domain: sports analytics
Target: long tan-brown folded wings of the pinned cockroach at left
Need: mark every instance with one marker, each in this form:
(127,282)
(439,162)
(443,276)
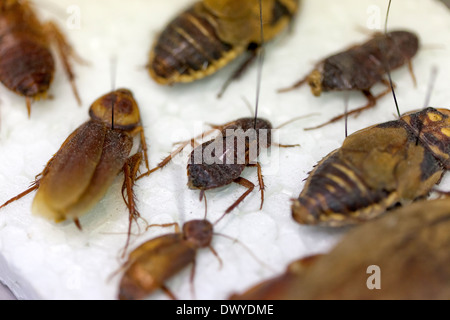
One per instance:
(81,172)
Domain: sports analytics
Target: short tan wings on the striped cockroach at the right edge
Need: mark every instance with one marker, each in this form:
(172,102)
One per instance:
(389,158)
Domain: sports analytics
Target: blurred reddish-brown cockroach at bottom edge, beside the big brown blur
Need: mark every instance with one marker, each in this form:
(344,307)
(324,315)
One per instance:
(272,288)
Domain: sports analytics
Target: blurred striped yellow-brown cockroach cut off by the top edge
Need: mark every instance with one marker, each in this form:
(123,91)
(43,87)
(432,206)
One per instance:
(212,33)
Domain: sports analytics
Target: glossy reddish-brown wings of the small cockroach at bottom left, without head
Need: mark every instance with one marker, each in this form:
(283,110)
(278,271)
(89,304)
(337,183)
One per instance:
(153,263)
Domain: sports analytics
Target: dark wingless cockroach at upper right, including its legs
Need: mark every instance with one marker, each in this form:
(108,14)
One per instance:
(361,67)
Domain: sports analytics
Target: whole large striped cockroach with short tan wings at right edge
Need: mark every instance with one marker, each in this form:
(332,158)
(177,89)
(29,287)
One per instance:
(376,169)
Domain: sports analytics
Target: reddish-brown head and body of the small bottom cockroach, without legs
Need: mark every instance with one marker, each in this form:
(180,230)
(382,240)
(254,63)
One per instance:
(150,265)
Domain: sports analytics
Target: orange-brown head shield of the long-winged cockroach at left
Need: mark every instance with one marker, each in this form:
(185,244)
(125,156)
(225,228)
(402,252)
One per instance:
(117,109)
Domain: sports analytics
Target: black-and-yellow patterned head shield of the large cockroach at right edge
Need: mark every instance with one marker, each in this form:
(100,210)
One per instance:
(432,126)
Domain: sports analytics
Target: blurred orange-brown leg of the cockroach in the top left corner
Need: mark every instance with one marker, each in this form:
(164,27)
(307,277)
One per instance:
(65,51)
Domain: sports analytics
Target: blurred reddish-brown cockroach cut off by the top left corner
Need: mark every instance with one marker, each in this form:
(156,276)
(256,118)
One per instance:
(26,62)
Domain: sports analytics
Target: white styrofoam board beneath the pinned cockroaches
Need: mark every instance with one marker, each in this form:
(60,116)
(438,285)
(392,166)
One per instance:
(42,260)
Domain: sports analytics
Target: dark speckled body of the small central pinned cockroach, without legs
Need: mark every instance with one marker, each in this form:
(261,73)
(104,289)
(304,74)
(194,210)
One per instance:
(229,164)
